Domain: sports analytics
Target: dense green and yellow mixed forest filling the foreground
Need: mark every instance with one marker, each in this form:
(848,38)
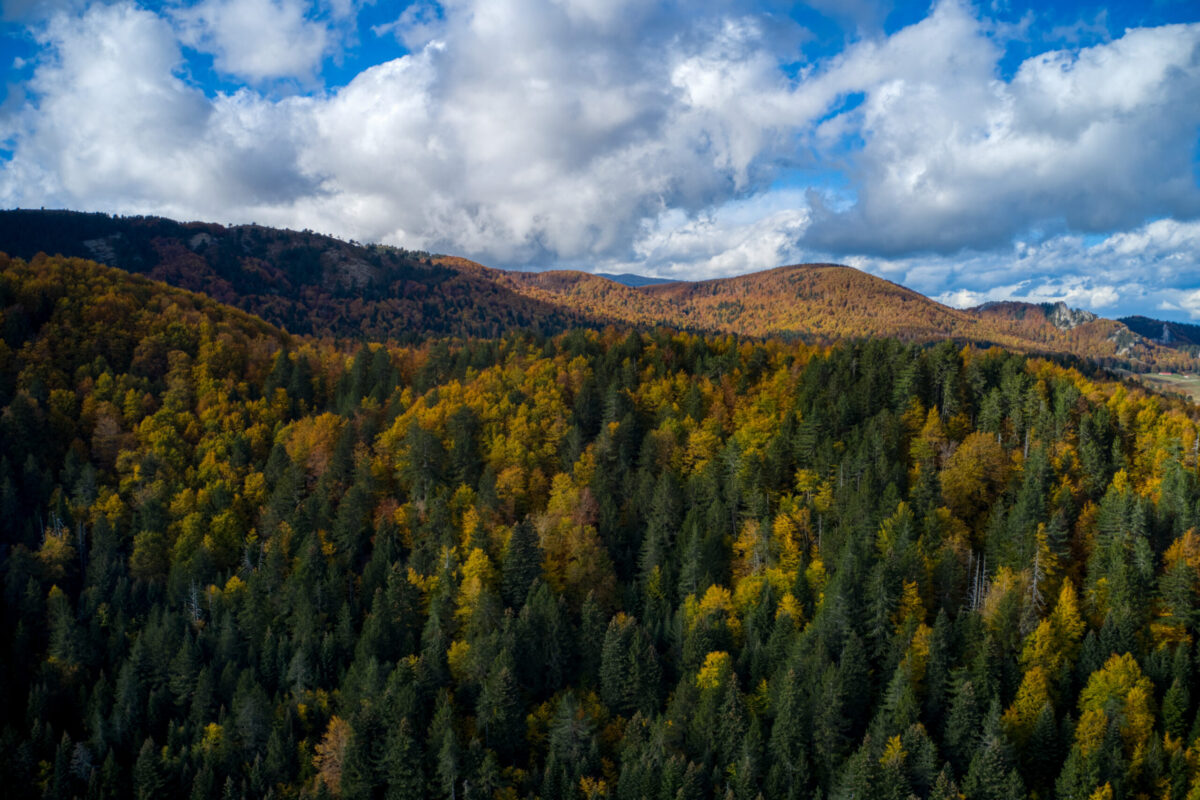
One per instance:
(238,563)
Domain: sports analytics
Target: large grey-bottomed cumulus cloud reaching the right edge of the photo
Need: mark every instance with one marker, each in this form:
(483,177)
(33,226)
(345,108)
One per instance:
(955,158)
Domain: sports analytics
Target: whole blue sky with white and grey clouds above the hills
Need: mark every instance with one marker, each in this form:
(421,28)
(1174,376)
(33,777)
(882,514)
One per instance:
(974,152)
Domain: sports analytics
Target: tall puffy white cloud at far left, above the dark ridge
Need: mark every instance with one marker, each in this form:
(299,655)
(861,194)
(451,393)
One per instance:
(117,129)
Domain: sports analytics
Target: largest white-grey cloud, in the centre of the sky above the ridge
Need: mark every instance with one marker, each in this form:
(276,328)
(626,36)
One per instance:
(542,131)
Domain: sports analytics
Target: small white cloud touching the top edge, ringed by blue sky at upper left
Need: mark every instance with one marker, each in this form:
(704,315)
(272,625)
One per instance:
(257,40)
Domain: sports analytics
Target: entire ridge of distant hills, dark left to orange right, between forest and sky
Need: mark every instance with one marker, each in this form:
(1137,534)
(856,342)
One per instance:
(316,285)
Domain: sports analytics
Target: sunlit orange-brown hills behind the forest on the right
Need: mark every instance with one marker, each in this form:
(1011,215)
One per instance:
(827,303)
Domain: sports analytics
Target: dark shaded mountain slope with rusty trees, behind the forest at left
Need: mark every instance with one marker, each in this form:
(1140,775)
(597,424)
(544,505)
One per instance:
(305,282)
